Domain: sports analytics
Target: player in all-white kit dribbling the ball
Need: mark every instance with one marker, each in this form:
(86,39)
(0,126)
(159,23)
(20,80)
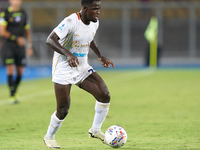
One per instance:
(71,41)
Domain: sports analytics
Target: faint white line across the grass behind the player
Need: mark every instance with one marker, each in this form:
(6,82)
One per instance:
(51,91)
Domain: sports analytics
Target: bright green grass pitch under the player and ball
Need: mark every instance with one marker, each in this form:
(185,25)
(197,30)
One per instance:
(159,110)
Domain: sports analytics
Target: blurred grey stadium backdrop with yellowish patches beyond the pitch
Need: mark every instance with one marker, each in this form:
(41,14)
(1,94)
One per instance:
(121,32)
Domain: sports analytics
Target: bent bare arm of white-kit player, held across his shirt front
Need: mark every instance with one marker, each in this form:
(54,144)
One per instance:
(52,41)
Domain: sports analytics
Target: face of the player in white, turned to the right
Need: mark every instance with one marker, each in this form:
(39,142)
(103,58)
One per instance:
(94,11)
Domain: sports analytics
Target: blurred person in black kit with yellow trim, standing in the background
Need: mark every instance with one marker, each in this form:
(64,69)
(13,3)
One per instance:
(13,26)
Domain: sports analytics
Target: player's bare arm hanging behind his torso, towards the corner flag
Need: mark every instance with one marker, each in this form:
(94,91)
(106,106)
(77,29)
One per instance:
(105,62)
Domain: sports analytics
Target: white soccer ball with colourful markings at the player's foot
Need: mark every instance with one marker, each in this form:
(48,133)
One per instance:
(115,136)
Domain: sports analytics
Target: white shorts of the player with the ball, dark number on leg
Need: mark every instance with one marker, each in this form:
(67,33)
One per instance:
(64,79)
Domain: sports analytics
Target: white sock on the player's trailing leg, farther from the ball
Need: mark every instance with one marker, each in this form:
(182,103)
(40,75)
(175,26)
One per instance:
(54,126)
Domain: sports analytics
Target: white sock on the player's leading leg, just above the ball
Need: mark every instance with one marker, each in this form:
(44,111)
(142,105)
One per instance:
(101,111)
